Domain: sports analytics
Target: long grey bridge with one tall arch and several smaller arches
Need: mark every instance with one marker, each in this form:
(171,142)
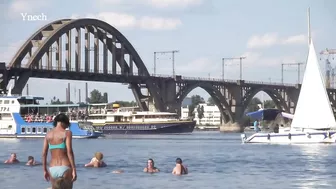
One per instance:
(92,50)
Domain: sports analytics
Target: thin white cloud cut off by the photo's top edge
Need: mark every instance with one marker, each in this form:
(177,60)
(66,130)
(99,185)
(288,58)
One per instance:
(173,3)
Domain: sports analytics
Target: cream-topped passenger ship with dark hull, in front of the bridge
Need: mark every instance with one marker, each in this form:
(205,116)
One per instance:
(113,119)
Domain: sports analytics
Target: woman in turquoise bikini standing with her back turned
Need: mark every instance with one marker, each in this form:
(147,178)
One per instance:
(62,164)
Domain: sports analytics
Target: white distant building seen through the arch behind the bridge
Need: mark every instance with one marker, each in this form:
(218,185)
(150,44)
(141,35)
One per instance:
(212,115)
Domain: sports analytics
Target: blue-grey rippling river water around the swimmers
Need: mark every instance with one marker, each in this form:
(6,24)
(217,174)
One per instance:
(214,160)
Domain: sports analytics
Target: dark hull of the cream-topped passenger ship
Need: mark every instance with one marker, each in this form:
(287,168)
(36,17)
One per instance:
(149,128)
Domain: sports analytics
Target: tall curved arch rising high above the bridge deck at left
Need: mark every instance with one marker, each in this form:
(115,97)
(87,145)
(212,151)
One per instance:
(68,24)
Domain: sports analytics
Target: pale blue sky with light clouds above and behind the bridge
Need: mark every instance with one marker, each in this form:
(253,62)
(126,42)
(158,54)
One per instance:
(268,33)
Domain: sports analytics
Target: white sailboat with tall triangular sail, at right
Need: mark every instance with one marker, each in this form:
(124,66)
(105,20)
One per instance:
(313,120)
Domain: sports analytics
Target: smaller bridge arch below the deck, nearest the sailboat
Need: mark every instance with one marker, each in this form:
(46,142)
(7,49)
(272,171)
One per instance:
(275,96)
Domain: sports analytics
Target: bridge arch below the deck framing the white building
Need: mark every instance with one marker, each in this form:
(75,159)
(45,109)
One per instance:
(214,93)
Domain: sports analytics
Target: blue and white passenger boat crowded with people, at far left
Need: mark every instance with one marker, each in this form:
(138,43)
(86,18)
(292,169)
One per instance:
(24,117)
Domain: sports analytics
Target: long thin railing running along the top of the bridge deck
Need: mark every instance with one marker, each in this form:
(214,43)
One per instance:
(118,72)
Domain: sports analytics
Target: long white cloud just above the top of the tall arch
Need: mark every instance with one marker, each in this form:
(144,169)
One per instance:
(121,20)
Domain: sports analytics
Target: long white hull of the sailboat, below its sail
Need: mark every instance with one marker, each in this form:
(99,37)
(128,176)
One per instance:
(292,138)
